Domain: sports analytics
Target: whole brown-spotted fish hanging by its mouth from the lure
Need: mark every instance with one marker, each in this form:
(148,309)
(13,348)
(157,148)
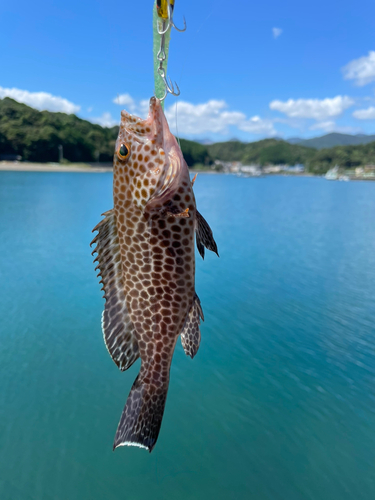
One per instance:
(145,256)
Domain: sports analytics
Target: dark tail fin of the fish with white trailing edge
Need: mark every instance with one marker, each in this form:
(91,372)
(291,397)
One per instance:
(142,416)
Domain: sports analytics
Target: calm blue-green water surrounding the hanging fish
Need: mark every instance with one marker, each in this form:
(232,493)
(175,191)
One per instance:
(279,403)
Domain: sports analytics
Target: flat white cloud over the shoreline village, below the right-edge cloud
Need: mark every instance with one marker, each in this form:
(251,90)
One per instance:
(319,109)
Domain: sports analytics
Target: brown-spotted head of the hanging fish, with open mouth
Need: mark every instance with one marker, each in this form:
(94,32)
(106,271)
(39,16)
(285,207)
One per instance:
(148,162)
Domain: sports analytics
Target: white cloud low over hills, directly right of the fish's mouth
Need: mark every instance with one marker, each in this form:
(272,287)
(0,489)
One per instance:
(213,116)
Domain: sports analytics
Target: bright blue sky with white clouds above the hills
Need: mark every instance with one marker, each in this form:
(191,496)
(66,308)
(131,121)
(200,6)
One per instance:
(245,69)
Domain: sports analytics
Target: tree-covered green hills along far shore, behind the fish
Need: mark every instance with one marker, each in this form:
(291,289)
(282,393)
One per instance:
(36,135)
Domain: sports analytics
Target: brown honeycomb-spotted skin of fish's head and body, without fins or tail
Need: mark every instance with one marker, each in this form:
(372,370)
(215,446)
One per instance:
(157,248)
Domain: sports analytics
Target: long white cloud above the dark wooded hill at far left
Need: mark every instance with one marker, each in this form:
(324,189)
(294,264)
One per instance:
(40,100)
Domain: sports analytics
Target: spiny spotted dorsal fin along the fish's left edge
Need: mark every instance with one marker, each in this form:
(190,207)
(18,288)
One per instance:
(118,330)
